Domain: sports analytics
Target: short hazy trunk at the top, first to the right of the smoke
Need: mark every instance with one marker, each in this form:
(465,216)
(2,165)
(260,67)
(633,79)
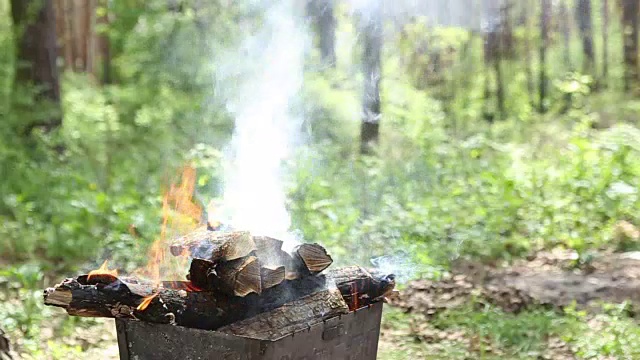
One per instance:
(323,18)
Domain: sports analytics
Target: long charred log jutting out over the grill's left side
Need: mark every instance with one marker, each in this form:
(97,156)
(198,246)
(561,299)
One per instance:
(174,304)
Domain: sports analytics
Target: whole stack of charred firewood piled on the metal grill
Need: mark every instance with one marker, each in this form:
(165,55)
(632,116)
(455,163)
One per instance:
(237,283)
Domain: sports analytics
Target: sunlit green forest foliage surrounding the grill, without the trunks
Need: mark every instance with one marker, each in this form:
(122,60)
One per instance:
(444,183)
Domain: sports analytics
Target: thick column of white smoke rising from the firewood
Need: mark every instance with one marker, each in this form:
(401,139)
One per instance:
(265,76)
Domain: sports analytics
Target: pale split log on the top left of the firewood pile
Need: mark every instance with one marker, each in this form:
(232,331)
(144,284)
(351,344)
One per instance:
(215,246)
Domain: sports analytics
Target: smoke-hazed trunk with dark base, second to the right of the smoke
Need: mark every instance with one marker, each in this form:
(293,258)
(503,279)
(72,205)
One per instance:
(372,69)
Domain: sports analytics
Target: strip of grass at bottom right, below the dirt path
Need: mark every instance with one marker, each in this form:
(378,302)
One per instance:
(472,332)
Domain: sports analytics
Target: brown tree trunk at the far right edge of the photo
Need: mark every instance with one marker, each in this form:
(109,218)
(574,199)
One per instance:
(630,42)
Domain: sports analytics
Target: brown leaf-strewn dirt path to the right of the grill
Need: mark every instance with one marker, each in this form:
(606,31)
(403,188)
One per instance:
(550,278)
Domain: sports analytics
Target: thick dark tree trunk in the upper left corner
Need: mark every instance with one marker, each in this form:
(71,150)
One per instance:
(37,54)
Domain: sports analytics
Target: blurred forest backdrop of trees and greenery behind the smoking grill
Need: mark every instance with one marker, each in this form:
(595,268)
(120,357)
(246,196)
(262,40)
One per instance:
(426,134)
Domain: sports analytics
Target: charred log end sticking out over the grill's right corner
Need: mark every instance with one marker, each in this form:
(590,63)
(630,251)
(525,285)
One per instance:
(360,287)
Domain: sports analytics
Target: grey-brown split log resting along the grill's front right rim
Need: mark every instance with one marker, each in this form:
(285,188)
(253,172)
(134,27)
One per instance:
(291,317)
